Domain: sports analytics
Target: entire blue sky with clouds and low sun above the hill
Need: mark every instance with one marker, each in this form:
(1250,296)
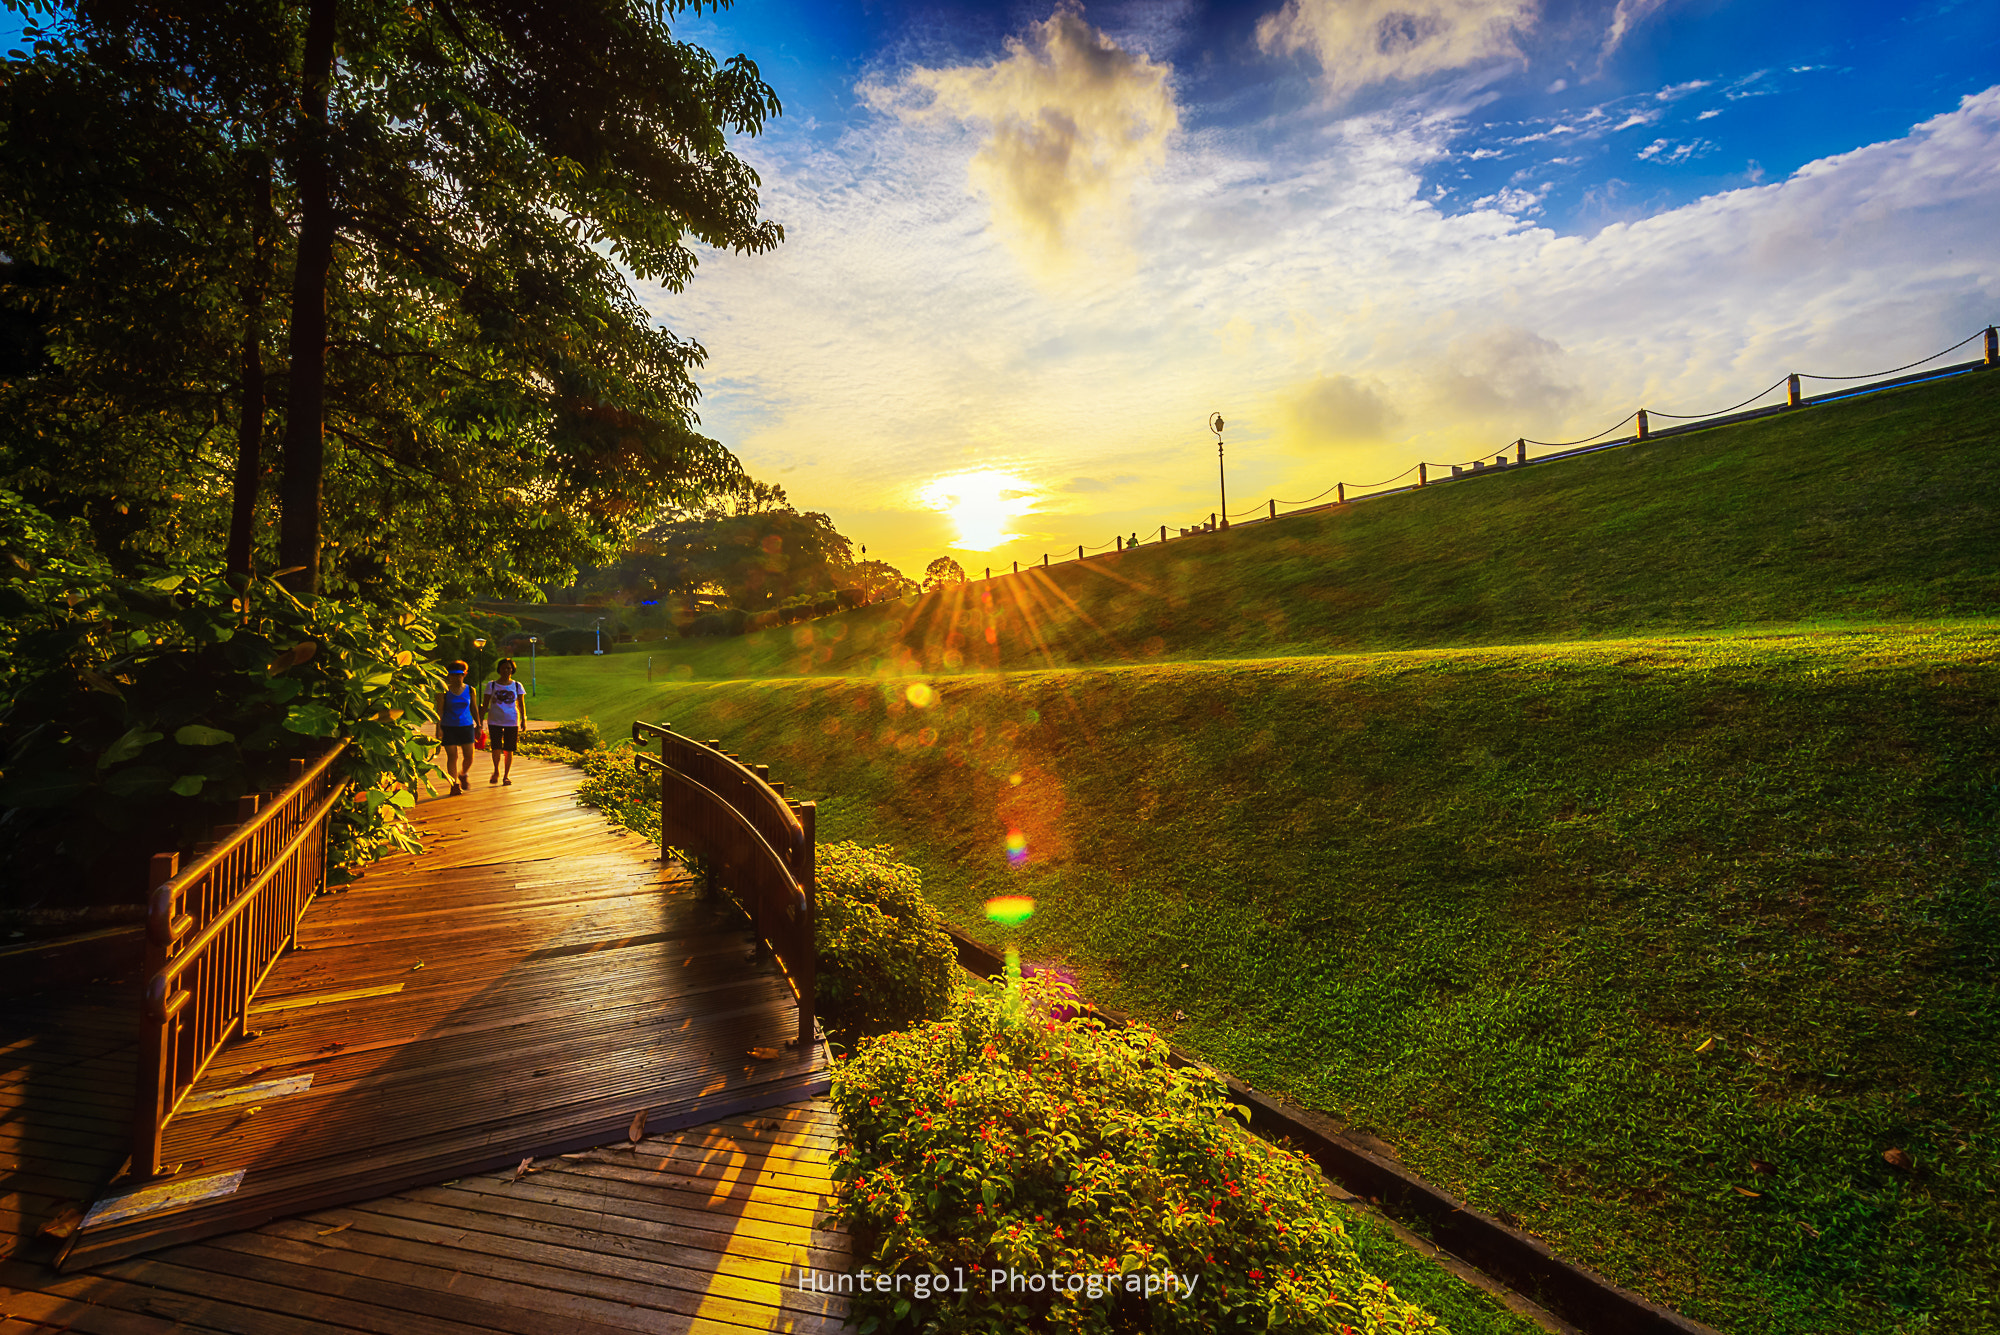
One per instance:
(1033,247)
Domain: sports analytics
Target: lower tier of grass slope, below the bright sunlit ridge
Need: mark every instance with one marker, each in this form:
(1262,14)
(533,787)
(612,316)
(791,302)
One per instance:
(1781,726)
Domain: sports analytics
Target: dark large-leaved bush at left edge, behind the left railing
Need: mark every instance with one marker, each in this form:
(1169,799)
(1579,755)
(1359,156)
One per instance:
(137,710)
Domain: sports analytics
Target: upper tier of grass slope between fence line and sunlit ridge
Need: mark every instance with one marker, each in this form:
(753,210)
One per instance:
(1879,509)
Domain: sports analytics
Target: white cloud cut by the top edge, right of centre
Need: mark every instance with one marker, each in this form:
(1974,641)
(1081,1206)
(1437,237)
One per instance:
(1361,43)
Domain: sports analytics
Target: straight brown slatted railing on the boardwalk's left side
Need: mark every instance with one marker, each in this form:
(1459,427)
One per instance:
(213,934)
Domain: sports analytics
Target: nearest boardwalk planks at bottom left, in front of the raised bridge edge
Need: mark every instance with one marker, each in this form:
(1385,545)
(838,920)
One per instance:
(697,1232)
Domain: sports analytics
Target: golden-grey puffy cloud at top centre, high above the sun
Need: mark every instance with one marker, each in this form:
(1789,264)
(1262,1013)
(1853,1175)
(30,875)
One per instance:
(1069,125)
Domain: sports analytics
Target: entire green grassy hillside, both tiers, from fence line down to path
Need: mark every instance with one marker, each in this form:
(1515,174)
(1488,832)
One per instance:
(1617,840)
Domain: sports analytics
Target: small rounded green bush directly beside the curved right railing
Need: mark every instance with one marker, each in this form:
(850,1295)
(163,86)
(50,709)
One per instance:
(885,956)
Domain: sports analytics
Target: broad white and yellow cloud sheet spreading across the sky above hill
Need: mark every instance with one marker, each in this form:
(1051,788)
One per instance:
(895,339)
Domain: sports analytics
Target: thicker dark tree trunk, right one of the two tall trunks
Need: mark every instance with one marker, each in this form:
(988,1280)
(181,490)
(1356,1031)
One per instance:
(305,423)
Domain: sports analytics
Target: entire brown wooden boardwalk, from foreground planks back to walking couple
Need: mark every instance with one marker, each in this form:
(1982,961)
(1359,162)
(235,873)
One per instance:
(531,1070)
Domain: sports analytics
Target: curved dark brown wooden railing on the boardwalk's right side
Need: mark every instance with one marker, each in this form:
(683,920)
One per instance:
(757,844)
